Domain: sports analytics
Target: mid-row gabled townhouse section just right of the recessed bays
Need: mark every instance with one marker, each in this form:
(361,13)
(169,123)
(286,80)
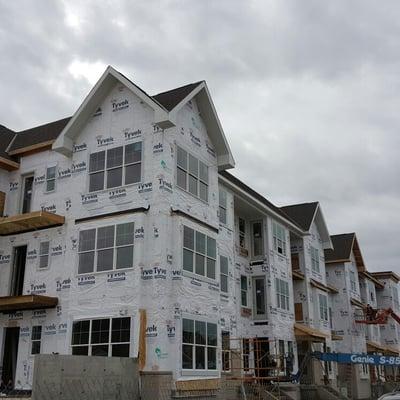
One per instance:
(311,291)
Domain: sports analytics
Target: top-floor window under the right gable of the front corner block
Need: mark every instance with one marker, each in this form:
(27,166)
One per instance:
(192,174)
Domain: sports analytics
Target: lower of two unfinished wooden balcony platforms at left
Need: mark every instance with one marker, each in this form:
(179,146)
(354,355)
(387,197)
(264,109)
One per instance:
(26,302)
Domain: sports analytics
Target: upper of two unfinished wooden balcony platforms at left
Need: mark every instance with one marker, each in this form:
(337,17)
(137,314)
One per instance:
(29,222)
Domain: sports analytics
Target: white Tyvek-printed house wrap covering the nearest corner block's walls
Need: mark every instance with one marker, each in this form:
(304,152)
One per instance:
(156,282)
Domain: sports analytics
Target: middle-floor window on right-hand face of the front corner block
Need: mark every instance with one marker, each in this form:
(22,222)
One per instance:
(199,253)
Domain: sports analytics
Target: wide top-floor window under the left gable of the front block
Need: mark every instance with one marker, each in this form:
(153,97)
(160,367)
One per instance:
(115,167)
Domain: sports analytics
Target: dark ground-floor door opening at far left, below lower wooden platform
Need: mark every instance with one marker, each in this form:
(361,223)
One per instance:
(10,354)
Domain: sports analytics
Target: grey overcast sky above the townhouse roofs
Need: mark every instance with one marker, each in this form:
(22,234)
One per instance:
(307,91)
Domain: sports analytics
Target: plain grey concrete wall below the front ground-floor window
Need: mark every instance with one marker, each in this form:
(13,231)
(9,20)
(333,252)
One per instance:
(80,377)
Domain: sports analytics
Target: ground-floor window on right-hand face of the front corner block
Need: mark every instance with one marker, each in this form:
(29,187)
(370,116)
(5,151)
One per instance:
(199,345)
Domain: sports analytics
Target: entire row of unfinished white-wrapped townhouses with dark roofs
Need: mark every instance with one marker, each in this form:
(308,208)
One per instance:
(126,213)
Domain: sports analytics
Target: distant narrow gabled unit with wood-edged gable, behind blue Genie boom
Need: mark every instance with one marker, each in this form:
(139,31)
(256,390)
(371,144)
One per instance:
(343,265)
